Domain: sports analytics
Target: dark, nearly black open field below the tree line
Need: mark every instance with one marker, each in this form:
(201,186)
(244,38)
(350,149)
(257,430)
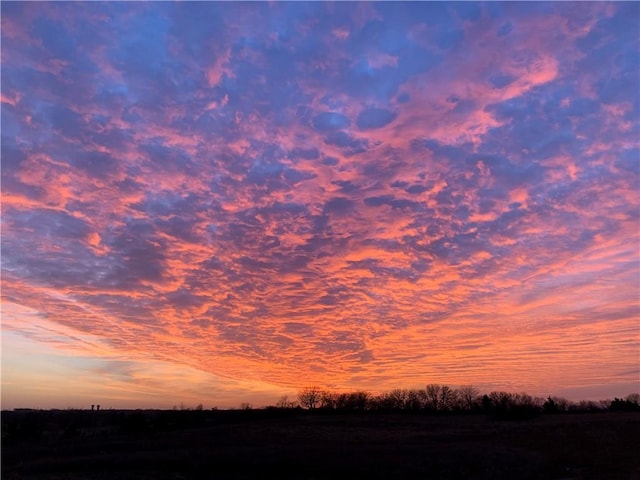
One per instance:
(298,445)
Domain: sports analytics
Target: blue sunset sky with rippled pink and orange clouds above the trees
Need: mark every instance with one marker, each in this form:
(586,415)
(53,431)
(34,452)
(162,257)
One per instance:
(221,203)
